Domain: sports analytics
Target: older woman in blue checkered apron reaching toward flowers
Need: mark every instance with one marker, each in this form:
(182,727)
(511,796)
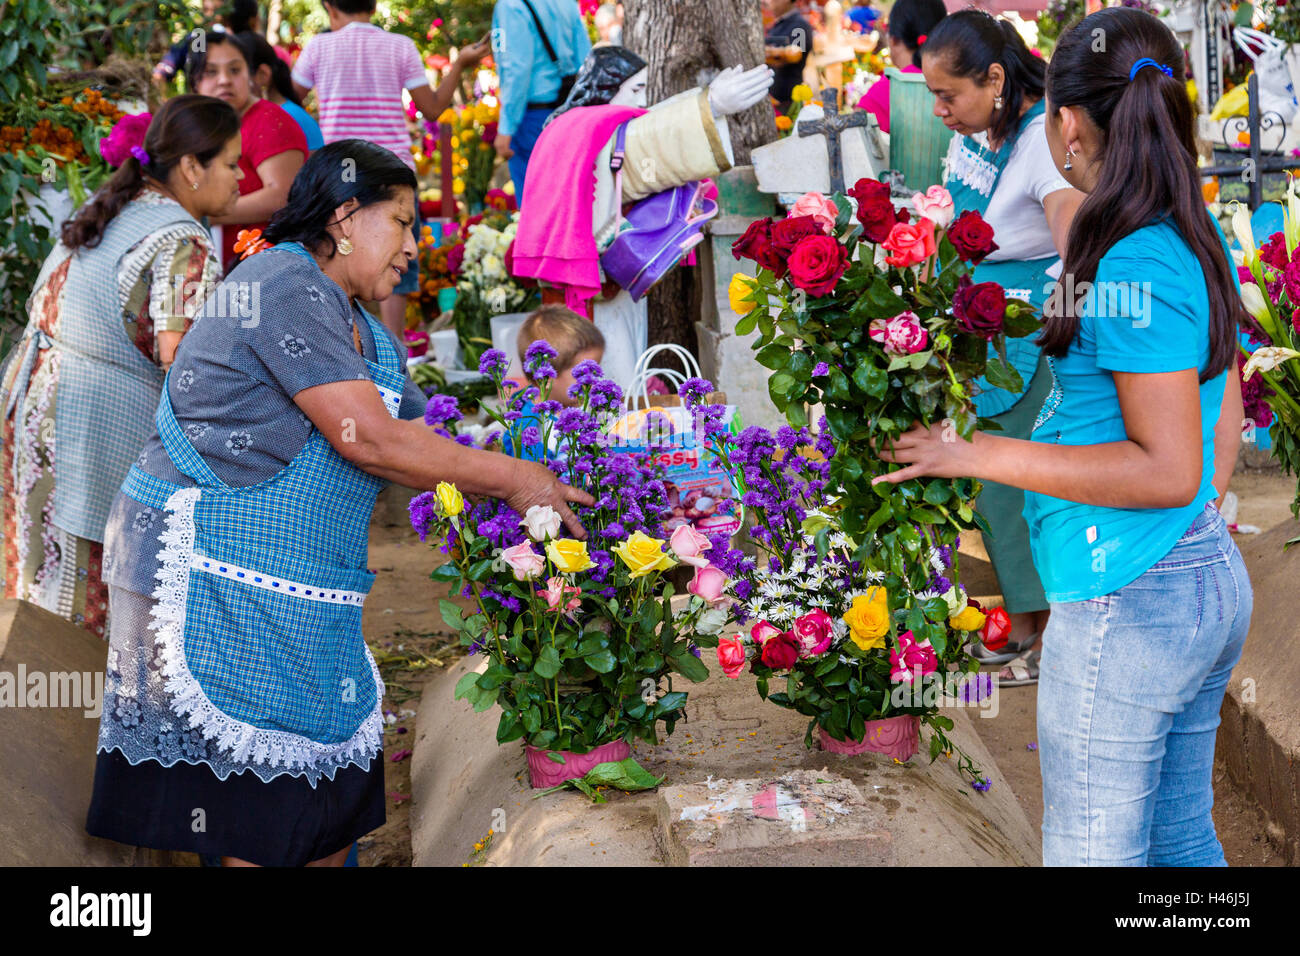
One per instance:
(242,708)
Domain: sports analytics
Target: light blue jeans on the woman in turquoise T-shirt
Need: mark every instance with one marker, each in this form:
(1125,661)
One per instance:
(1130,690)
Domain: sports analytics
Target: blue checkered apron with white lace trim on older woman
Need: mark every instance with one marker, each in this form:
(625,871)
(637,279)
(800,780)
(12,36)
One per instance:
(263,589)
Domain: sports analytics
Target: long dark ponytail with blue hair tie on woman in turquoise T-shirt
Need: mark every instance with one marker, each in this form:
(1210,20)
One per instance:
(1147,174)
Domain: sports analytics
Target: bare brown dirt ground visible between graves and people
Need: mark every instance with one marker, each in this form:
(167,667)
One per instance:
(409,641)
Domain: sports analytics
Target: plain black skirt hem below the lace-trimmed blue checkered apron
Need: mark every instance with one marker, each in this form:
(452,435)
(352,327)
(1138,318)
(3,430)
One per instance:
(188,808)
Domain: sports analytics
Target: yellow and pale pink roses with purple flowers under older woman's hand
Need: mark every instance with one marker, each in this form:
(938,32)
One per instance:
(580,637)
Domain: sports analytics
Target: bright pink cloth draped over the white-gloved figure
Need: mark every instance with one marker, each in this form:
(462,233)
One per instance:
(554,241)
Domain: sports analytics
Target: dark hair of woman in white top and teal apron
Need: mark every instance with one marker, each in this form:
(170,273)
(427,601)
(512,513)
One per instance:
(972,42)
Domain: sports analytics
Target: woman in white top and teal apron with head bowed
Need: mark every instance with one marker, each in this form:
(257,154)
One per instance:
(989,90)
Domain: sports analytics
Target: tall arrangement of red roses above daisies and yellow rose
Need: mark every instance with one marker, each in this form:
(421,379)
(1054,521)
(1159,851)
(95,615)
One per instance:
(872,314)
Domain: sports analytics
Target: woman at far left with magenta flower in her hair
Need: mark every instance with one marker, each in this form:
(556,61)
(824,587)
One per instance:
(107,313)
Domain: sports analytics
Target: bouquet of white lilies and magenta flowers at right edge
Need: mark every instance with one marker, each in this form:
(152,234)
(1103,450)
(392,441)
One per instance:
(1271,293)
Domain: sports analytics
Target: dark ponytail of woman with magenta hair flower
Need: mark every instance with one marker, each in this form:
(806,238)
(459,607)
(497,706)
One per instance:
(188,126)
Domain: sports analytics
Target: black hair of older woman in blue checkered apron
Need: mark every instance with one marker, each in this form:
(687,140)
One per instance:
(337,172)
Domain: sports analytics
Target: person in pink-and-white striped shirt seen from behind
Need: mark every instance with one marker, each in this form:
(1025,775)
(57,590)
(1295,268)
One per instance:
(359,72)
